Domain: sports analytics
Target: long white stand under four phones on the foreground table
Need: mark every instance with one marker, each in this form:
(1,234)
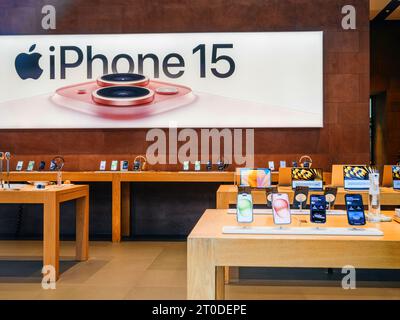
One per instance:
(303,231)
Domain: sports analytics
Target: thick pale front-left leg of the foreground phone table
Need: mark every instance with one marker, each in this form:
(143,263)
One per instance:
(201,271)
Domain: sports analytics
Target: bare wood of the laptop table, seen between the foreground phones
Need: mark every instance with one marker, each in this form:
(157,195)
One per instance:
(227,195)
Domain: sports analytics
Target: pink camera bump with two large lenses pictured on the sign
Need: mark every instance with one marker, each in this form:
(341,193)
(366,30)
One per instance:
(123,96)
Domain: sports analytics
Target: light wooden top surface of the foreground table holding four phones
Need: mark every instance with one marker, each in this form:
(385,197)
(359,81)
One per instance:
(213,220)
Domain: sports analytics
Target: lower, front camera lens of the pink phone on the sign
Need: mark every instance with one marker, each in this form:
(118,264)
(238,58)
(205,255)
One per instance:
(122,96)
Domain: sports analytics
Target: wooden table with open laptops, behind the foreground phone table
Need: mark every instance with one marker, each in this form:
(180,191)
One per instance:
(300,182)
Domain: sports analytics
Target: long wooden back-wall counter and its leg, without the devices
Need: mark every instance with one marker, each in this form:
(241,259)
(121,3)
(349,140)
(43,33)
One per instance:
(120,186)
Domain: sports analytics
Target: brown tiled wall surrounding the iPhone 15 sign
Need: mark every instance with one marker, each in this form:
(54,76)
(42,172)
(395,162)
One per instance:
(344,137)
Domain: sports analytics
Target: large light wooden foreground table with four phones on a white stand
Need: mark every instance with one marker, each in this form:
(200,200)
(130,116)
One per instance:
(209,250)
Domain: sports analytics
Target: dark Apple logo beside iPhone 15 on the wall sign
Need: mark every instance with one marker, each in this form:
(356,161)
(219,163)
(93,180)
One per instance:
(27,65)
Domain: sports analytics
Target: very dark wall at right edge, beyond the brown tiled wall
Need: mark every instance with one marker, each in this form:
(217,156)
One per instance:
(385,80)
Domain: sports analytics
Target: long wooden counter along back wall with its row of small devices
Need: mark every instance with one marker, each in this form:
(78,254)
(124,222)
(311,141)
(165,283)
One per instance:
(138,171)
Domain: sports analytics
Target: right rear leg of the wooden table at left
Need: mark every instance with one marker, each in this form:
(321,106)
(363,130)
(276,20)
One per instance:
(82,228)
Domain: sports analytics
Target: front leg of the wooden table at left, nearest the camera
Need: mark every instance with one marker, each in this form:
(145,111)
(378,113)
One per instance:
(51,233)
